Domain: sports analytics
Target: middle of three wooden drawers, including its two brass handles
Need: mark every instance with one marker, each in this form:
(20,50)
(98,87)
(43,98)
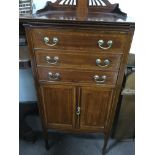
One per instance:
(65,59)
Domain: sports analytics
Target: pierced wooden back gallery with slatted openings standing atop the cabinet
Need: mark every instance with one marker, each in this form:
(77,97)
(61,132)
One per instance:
(82,7)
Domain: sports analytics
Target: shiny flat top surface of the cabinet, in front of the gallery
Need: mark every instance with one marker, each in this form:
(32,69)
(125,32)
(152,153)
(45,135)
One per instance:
(67,16)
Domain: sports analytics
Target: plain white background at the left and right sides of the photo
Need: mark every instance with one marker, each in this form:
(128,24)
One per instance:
(143,46)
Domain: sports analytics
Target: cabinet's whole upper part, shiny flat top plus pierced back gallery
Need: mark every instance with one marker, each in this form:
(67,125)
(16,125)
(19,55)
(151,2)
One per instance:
(80,11)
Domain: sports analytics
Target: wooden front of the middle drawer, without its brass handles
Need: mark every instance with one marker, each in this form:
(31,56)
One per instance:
(84,59)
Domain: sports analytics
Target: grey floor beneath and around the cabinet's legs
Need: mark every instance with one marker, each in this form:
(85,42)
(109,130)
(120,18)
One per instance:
(68,144)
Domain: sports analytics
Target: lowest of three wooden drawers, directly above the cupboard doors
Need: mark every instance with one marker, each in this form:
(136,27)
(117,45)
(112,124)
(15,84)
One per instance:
(76,75)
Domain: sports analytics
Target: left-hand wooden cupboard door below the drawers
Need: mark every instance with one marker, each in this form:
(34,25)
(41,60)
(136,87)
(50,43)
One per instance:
(59,105)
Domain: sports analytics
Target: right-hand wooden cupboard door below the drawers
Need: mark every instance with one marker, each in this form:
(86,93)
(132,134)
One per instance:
(95,106)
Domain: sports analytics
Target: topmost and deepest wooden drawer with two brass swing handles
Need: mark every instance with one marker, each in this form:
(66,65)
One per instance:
(77,39)
